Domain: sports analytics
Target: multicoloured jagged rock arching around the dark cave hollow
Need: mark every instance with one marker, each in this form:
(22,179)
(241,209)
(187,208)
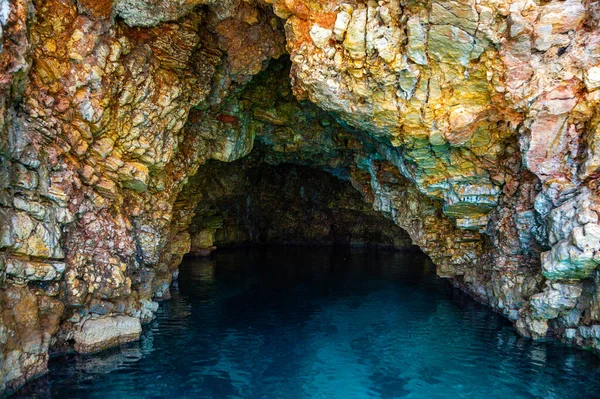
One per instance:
(470,125)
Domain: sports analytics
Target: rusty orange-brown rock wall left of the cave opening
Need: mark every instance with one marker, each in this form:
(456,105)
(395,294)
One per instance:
(92,160)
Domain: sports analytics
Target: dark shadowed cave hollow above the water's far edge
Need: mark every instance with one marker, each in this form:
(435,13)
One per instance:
(250,202)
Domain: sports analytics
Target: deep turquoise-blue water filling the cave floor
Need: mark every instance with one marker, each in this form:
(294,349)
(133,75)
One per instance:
(322,323)
